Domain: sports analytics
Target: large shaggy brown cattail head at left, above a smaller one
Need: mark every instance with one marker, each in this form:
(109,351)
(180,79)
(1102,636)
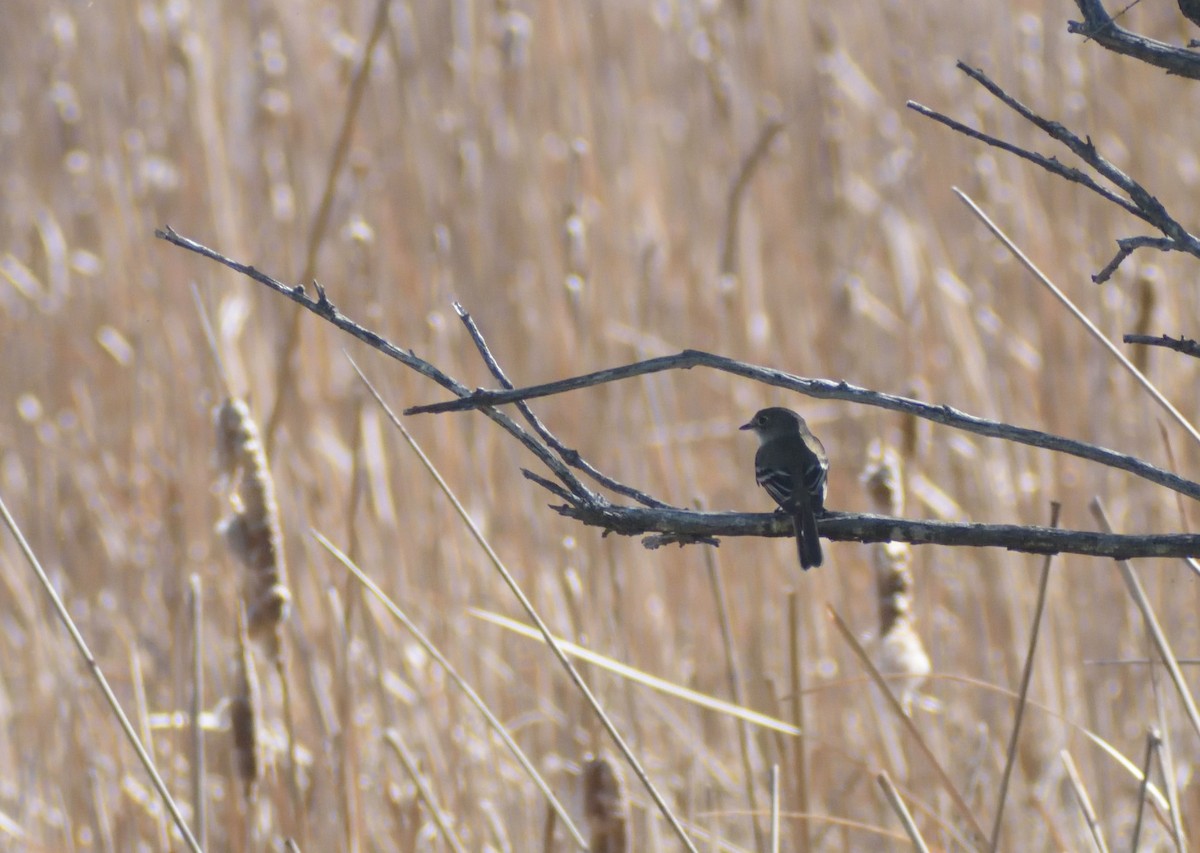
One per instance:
(253,530)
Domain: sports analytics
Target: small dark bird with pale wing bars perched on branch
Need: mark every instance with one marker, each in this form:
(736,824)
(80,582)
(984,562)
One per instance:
(791,465)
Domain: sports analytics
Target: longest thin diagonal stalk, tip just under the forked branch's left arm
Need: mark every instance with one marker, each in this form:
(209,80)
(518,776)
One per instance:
(524,600)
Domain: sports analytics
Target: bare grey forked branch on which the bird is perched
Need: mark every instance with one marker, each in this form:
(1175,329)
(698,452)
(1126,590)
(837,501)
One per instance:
(664,525)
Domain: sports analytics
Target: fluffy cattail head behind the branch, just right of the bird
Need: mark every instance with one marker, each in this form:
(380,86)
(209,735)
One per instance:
(901,653)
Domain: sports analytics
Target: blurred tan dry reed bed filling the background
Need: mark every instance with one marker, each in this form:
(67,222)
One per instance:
(562,170)
